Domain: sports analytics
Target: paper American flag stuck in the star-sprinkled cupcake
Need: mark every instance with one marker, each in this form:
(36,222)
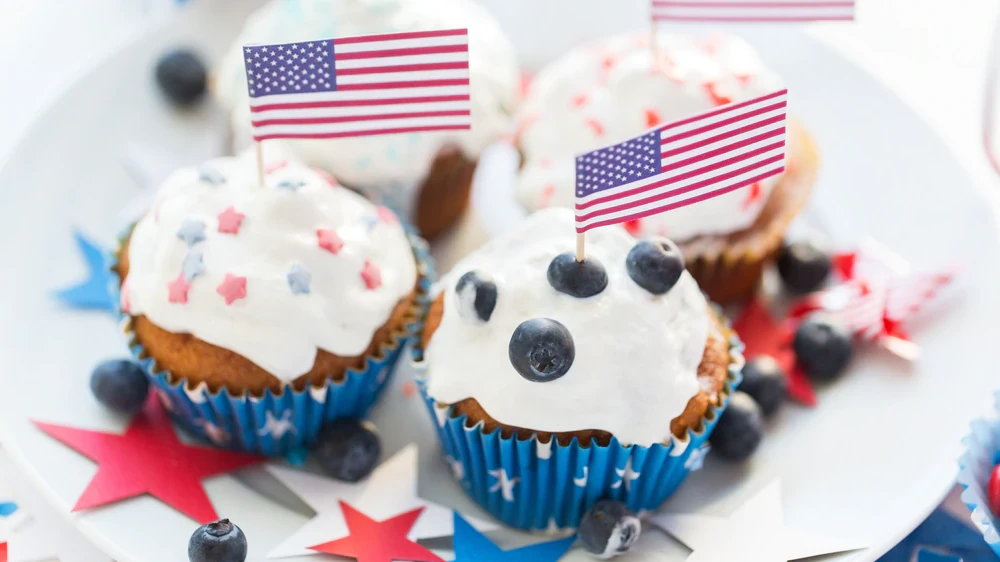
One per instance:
(360,86)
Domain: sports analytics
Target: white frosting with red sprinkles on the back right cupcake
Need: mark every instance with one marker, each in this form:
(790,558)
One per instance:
(610,91)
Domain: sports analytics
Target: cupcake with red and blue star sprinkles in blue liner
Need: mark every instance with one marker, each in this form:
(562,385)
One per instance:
(261,313)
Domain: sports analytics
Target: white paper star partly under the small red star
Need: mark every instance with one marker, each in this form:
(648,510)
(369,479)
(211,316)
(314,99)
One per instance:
(391,489)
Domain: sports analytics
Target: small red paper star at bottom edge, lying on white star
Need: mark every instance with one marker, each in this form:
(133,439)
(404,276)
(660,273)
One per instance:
(378,541)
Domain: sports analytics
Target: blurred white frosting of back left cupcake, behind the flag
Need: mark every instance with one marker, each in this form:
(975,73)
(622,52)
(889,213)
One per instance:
(378,160)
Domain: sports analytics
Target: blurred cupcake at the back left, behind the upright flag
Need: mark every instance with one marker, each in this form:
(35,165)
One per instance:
(427,176)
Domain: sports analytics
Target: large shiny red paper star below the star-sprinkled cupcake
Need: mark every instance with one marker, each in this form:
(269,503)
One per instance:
(149,459)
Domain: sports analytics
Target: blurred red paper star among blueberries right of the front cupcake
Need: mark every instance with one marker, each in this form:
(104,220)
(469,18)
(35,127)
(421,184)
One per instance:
(762,335)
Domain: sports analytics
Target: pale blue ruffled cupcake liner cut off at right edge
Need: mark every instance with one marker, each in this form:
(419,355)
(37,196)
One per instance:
(982,453)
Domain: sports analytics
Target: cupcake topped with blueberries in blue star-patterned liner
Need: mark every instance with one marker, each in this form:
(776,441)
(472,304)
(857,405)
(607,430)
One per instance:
(555,384)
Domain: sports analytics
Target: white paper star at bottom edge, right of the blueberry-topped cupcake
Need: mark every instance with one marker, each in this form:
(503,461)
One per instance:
(755,532)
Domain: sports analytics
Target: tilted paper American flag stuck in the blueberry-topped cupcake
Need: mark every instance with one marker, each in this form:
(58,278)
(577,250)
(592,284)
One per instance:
(682,163)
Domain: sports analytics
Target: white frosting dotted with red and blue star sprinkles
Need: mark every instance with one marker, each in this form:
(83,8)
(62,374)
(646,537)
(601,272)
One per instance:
(277,325)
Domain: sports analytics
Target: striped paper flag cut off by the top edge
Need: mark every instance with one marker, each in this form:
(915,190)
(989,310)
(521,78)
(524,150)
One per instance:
(753,10)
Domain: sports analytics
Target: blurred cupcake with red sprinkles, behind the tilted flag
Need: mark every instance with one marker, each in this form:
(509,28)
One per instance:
(615,89)
